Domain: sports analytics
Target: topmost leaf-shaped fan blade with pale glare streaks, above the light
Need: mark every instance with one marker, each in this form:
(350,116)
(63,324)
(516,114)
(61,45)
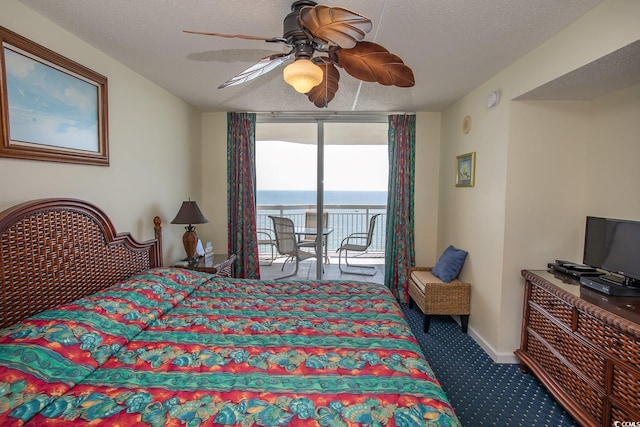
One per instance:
(335,25)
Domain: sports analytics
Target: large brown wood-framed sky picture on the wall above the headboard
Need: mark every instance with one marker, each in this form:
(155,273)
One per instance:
(51,108)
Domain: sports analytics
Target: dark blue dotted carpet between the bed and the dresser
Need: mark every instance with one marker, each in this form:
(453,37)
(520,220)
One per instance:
(482,392)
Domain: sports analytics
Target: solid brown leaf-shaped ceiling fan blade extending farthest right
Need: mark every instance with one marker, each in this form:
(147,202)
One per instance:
(373,63)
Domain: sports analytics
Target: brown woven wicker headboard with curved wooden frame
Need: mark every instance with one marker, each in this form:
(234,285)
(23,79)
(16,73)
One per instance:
(54,251)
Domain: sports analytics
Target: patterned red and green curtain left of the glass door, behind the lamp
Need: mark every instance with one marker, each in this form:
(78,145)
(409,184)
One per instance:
(241,190)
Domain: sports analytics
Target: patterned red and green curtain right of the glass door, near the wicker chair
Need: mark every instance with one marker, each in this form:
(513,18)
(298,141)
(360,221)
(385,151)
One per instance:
(399,249)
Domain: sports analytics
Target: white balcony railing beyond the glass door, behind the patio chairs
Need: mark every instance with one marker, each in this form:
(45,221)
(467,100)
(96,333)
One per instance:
(344,219)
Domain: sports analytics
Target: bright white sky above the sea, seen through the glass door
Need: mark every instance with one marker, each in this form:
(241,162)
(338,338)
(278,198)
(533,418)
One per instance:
(292,166)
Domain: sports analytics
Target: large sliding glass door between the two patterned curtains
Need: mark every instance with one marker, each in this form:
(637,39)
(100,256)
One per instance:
(324,173)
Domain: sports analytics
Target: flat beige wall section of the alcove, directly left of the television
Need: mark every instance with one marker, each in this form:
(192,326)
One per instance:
(545,192)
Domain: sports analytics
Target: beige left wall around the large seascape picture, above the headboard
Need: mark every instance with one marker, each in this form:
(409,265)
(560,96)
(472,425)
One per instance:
(153,140)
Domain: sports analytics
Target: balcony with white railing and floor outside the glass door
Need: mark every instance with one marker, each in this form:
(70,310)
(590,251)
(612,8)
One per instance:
(344,219)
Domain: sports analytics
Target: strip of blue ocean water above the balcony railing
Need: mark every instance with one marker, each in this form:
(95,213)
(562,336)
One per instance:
(286,197)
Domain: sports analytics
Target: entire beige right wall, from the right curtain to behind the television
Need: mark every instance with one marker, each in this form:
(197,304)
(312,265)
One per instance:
(528,222)
